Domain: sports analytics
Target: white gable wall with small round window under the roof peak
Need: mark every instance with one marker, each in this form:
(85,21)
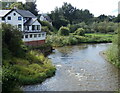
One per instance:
(14,19)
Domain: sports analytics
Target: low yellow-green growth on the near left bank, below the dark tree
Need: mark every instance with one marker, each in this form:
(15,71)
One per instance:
(35,68)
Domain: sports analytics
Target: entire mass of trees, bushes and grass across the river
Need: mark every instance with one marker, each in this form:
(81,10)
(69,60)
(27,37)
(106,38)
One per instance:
(73,26)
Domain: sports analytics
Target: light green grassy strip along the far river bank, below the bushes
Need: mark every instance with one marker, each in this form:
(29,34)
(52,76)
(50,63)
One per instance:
(57,40)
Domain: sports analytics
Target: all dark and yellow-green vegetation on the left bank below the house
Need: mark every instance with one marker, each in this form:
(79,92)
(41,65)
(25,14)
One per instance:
(21,66)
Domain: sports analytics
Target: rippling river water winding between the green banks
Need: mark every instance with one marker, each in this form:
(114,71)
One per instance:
(80,68)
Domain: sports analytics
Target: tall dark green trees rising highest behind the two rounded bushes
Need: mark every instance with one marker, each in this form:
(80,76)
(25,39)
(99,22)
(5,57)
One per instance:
(68,14)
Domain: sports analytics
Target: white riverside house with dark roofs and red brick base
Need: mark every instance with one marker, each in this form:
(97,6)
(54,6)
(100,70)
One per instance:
(26,22)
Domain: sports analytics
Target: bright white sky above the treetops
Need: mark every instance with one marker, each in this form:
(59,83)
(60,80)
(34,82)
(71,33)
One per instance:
(97,7)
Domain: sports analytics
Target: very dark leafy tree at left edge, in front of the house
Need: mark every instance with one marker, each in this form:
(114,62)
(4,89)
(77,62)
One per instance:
(11,41)
